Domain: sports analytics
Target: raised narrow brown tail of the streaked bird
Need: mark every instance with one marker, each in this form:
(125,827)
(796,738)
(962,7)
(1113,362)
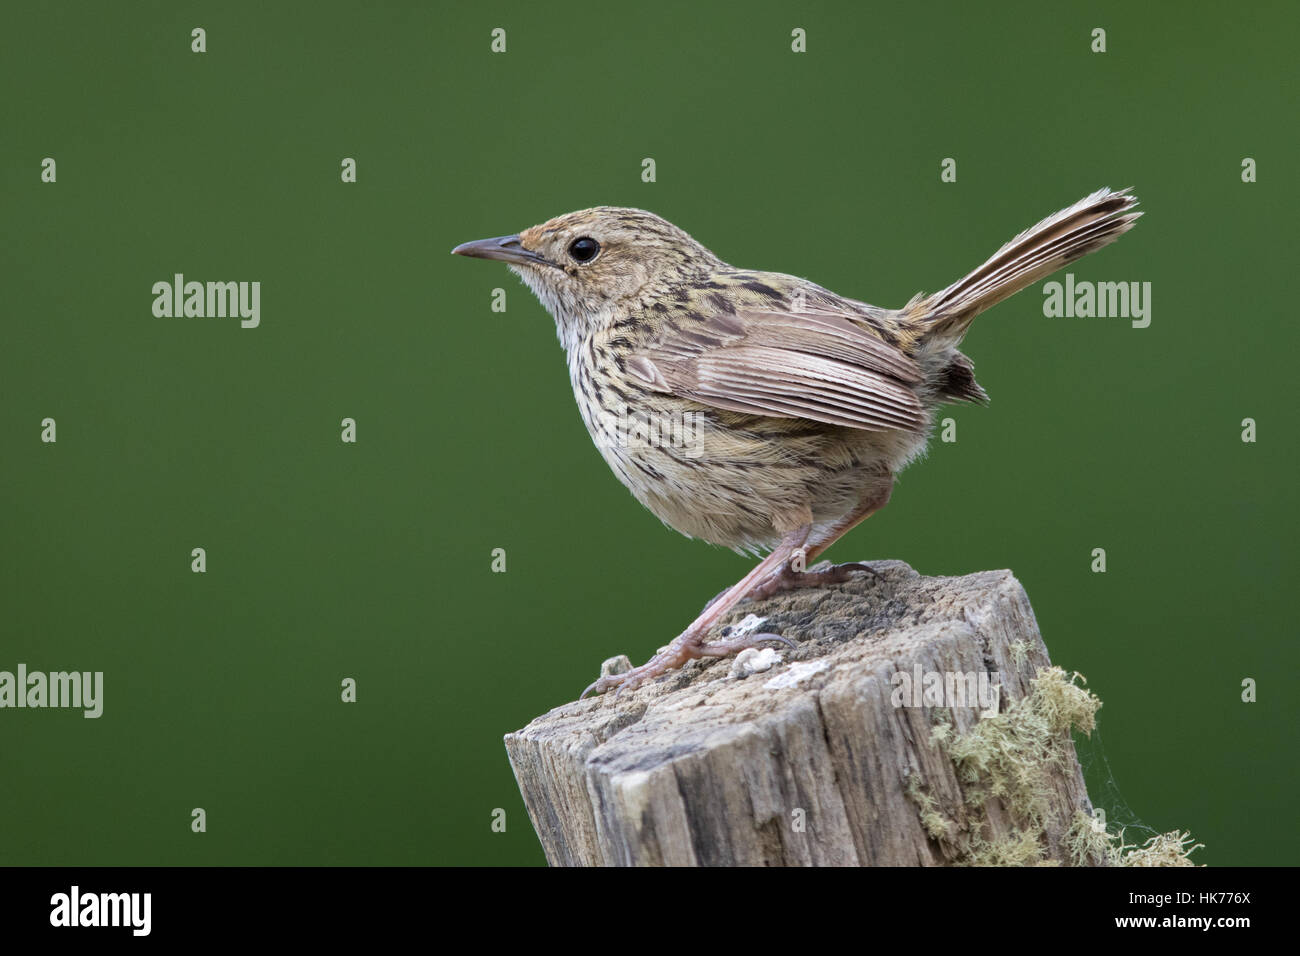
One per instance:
(1037,253)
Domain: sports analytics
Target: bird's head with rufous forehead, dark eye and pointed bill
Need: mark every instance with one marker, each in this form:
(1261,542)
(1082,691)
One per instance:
(590,266)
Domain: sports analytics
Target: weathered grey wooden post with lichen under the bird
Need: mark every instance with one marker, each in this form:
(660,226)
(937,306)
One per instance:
(813,762)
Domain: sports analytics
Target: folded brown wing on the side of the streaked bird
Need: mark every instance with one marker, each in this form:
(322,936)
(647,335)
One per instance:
(814,366)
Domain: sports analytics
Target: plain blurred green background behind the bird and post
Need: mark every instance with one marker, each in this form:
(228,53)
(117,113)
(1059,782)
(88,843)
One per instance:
(374,560)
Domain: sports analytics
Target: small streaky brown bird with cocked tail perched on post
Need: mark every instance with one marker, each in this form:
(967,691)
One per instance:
(757,410)
